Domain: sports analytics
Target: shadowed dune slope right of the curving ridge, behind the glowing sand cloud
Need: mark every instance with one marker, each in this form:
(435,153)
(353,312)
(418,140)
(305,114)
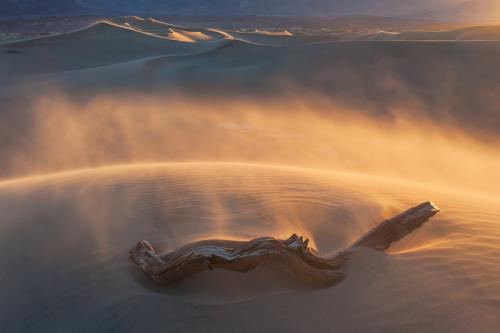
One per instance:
(444,80)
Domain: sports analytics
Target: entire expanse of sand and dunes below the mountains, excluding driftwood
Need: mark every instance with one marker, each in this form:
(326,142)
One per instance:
(134,129)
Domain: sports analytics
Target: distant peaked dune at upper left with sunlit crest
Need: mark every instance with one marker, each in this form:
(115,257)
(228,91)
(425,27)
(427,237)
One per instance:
(100,44)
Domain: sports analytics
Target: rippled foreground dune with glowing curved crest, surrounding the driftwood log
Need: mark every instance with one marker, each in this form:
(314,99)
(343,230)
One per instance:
(81,224)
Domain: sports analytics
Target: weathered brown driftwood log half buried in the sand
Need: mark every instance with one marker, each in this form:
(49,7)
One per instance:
(291,255)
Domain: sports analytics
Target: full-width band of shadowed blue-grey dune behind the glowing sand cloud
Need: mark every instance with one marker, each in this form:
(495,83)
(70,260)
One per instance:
(451,81)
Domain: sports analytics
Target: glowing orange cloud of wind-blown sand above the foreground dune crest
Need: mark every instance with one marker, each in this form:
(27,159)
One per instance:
(134,129)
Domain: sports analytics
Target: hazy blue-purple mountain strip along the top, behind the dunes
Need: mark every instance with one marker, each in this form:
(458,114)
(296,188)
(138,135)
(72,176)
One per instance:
(435,9)
